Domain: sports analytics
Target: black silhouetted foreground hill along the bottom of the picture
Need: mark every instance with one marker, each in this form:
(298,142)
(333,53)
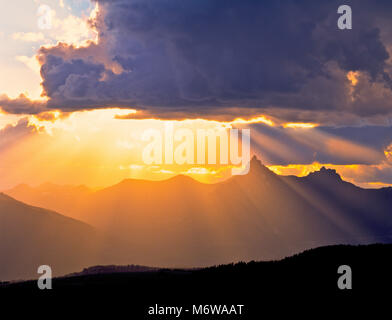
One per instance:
(302,284)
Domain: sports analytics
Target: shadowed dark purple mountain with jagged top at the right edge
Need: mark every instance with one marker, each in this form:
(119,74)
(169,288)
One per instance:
(360,212)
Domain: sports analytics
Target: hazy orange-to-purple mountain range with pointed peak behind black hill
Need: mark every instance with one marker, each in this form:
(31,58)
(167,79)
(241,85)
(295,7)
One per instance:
(180,222)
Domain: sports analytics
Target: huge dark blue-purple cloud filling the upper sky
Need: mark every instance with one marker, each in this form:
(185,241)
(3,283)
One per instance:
(195,56)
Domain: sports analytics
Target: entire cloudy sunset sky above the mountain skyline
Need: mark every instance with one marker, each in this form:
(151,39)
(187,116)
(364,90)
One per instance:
(76,95)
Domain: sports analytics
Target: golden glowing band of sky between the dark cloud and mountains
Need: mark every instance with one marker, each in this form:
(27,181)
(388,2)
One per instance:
(99,148)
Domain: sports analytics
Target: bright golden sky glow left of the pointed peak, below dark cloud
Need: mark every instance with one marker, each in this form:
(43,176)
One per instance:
(96,148)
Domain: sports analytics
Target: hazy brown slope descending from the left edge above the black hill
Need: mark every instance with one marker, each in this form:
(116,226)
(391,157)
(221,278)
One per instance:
(32,236)
